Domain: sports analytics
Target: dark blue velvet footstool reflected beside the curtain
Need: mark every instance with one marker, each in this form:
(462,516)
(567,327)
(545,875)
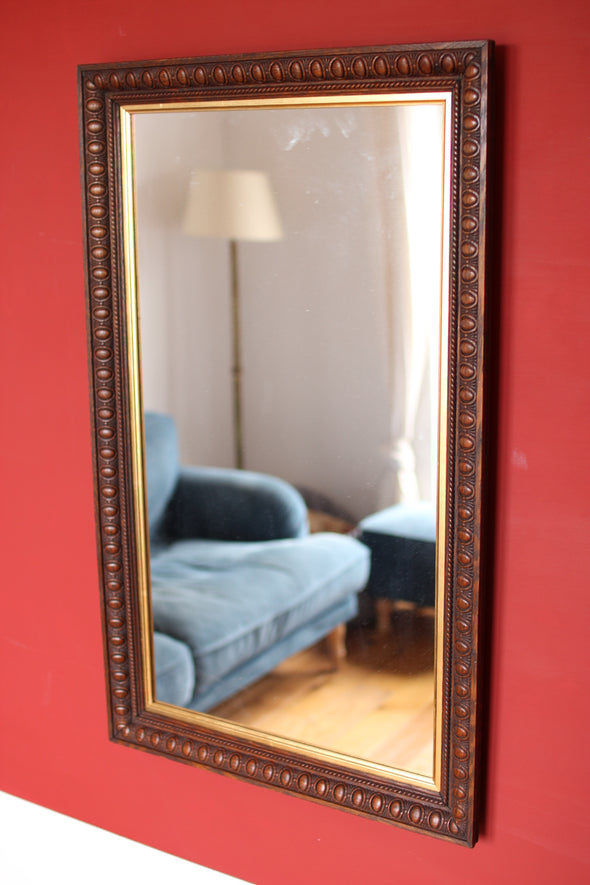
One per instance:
(402,541)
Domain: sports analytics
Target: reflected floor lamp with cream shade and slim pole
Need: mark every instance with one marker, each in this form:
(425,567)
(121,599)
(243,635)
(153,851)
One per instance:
(235,205)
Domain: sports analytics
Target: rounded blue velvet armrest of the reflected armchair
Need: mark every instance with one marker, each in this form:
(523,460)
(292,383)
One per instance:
(235,505)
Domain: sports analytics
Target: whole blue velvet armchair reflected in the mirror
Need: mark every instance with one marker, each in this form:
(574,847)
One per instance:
(238,583)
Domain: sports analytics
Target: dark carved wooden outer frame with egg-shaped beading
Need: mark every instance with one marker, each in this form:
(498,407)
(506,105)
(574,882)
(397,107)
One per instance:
(463,70)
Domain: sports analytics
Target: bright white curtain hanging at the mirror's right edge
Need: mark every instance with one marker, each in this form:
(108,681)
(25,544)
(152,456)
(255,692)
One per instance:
(412,273)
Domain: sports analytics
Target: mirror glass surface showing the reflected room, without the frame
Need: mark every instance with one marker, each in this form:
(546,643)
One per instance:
(291,265)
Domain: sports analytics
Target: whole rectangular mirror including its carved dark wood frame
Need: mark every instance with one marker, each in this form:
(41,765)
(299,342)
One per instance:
(285,283)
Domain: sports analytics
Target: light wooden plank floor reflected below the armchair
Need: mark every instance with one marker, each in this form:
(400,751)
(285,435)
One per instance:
(378,705)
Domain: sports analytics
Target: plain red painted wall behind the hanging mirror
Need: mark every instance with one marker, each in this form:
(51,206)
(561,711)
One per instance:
(54,747)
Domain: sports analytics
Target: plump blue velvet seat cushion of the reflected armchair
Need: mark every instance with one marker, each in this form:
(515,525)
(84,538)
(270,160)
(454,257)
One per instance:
(230,601)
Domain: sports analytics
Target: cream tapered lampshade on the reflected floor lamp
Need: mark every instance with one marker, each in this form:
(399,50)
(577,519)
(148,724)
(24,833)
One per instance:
(233,204)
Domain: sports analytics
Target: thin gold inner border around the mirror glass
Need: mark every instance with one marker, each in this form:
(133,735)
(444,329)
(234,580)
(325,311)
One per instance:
(205,720)
